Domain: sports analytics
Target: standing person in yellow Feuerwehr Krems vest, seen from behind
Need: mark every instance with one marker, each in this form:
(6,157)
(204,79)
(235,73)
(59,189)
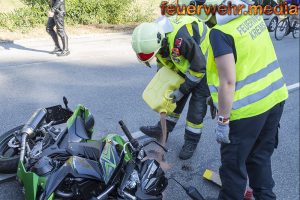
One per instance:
(247,85)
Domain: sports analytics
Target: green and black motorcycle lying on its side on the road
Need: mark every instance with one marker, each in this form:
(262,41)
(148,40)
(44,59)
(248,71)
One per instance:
(55,158)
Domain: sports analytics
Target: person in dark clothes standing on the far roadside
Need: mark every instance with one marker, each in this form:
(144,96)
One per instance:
(56,18)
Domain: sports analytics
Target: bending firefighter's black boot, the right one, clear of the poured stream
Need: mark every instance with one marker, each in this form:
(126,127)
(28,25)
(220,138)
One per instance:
(190,144)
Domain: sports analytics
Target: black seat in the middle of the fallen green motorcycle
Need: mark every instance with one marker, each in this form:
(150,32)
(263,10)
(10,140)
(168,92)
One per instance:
(90,150)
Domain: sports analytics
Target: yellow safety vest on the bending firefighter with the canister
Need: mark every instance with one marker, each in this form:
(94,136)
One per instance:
(177,23)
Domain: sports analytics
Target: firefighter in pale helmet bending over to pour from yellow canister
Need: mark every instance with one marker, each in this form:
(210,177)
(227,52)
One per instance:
(179,43)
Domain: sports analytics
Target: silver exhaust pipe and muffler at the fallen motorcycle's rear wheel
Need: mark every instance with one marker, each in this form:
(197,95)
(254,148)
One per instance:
(30,127)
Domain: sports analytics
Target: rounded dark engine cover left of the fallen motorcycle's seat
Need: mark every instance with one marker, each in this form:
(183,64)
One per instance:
(44,166)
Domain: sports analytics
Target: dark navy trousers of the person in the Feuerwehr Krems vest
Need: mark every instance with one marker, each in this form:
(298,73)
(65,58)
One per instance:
(252,144)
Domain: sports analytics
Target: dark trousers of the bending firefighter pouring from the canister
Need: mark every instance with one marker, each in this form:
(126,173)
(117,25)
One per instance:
(197,108)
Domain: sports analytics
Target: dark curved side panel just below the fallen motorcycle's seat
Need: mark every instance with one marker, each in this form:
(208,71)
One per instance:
(76,167)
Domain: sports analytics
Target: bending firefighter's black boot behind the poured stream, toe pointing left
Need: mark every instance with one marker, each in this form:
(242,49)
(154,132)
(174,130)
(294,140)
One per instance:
(156,131)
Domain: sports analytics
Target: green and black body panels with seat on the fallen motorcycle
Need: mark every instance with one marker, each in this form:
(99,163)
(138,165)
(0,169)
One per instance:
(90,159)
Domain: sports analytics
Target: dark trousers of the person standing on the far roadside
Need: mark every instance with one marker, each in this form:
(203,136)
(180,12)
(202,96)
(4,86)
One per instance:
(58,21)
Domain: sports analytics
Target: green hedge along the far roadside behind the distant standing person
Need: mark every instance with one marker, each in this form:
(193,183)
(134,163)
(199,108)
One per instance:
(81,12)
